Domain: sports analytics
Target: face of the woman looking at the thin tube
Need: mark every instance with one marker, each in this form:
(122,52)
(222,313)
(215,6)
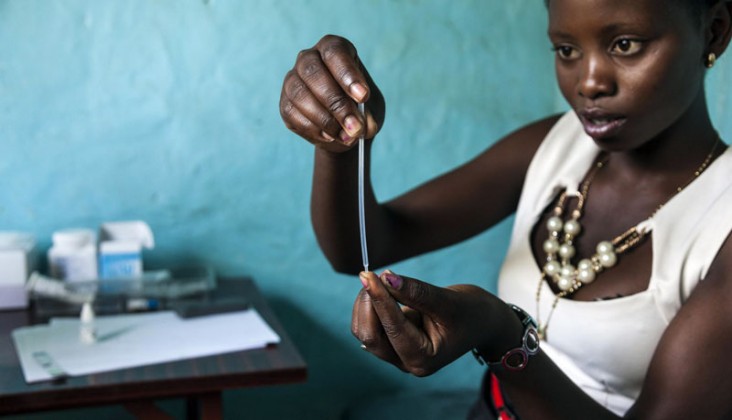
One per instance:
(630,69)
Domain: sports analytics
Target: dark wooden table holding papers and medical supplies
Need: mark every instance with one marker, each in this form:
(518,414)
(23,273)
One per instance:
(201,380)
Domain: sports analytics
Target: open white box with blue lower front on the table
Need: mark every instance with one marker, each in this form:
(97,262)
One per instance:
(121,247)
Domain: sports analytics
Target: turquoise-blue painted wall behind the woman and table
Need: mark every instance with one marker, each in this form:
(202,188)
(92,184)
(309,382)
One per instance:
(167,111)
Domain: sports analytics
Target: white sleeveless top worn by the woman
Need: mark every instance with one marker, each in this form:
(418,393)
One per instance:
(606,346)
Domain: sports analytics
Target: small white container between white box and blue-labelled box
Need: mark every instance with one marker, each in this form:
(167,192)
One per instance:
(73,256)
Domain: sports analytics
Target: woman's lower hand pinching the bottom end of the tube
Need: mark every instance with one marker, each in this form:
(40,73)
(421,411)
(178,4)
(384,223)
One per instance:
(432,327)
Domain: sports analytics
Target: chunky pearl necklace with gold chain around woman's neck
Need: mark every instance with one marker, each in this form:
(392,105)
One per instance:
(559,268)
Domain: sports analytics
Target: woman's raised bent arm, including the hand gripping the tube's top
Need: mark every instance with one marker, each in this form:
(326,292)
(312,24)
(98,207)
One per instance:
(319,102)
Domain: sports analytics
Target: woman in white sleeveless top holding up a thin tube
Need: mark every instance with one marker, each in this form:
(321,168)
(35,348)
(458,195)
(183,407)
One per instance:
(620,250)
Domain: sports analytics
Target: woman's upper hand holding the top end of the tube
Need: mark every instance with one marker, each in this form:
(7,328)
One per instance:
(320,96)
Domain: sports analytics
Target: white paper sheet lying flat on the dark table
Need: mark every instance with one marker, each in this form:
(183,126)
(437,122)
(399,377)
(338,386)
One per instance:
(125,341)
